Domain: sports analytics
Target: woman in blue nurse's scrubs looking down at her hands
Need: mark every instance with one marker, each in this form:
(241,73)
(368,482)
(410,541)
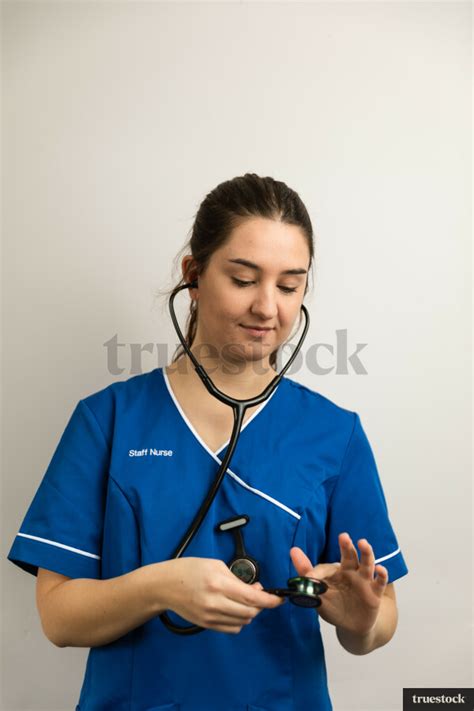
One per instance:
(137,458)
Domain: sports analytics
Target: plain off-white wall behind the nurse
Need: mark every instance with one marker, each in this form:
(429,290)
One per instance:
(117,119)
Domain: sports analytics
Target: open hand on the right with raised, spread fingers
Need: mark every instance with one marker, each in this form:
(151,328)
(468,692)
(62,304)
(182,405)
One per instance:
(352,600)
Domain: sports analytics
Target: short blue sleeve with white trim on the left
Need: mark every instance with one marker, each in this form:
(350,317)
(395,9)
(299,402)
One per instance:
(62,529)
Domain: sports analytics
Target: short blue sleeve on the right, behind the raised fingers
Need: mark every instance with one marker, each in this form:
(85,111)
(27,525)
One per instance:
(357,506)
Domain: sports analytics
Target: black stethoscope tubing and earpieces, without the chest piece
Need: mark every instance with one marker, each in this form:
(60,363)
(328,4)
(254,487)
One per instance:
(239,408)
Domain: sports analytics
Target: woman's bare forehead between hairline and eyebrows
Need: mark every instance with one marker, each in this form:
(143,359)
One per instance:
(268,242)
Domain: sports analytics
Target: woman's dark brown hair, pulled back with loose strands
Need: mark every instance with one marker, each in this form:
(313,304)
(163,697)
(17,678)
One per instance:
(226,207)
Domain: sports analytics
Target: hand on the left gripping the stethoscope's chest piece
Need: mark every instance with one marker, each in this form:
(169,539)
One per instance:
(206,593)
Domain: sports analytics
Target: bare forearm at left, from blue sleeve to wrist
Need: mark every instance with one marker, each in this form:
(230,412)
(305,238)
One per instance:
(85,612)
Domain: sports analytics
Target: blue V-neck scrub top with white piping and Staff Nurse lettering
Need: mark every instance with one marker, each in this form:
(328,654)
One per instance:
(124,484)
